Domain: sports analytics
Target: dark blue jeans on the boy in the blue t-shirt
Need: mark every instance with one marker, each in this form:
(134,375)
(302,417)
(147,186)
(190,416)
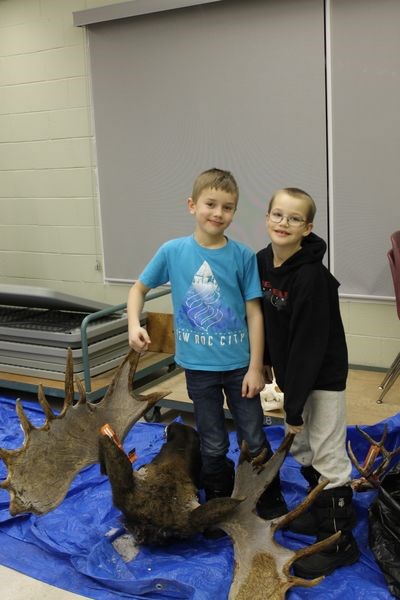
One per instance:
(206,390)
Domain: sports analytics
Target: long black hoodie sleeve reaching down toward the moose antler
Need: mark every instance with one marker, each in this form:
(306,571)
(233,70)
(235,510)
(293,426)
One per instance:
(308,338)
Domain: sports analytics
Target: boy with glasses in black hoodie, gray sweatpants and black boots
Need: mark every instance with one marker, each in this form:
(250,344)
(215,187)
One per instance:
(306,347)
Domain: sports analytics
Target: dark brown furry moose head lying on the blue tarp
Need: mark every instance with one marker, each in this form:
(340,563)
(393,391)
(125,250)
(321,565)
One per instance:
(159,501)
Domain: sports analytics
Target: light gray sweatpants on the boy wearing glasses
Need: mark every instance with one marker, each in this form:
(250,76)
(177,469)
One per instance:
(322,442)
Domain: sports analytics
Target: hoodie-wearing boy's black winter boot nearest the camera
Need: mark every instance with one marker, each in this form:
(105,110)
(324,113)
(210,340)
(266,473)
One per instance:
(333,510)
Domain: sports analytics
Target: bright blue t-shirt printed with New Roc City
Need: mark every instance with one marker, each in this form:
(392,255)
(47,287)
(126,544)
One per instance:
(209,291)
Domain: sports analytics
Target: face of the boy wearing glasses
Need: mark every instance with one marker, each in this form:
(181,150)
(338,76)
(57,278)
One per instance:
(289,232)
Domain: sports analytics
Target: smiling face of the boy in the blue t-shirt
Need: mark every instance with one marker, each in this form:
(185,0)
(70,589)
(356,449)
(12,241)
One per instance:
(214,211)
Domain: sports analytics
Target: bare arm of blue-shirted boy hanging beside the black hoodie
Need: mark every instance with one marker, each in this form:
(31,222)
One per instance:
(253,381)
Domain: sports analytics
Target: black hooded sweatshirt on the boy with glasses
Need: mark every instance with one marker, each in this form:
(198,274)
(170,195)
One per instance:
(305,340)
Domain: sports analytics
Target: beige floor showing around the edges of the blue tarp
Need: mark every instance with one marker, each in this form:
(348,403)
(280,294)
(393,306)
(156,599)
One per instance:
(362,409)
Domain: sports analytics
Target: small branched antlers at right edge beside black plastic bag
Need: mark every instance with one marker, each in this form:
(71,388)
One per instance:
(371,477)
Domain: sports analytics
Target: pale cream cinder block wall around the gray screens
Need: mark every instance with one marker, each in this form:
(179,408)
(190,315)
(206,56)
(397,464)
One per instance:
(49,227)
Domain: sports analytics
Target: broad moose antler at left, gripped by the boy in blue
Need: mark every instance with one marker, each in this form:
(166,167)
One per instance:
(41,471)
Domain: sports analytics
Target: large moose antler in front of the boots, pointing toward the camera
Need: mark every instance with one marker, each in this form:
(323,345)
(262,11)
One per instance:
(262,566)
